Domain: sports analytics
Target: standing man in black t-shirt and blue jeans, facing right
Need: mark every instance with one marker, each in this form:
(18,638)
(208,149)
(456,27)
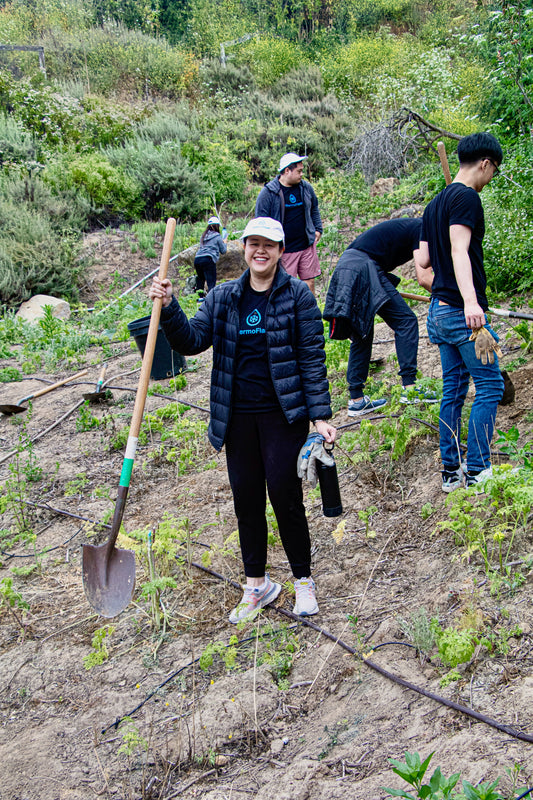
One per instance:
(453,227)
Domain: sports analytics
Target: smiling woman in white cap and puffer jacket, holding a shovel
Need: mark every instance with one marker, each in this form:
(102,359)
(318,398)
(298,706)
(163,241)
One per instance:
(268,382)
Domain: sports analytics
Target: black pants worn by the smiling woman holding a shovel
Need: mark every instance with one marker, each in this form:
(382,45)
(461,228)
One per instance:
(264,448)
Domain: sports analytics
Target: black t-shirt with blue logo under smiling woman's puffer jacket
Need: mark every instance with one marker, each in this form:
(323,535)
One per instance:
(253,388)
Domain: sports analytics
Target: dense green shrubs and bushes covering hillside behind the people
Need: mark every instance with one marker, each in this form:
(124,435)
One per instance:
(136,117)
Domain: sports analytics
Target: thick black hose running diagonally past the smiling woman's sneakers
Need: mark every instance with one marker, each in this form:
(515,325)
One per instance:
(372,664)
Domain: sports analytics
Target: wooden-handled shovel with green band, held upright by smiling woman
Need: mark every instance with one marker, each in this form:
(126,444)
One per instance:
(109,572)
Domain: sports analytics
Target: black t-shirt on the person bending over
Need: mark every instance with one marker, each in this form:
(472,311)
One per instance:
(390,243)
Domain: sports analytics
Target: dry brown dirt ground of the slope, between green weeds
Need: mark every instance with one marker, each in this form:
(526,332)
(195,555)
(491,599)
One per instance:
(328,728)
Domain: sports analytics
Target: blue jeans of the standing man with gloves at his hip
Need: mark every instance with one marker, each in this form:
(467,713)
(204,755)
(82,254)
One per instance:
(447,327)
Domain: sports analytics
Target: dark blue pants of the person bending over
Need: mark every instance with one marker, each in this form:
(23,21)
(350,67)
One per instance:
(398,316)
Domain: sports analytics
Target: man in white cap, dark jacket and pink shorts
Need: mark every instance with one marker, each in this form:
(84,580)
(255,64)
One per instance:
(293,202)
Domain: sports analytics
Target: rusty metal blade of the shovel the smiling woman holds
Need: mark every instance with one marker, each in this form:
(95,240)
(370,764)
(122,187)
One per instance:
(108,578)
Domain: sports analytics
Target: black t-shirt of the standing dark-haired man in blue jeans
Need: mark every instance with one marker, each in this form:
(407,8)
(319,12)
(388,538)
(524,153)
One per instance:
(457,204)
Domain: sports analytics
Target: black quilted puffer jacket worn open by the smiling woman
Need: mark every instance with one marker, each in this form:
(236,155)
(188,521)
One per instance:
(295,344)
